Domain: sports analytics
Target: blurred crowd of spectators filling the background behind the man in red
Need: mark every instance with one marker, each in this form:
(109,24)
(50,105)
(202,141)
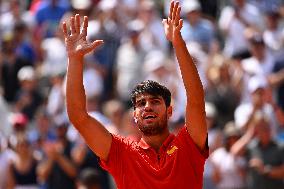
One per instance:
(238,48)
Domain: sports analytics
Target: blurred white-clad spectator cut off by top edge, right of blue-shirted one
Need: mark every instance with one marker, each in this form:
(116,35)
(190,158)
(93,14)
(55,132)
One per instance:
(234,21)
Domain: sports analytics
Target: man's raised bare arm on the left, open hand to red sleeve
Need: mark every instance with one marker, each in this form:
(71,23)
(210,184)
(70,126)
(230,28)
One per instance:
(95,134)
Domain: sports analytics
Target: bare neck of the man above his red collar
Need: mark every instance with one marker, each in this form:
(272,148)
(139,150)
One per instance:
(156,141)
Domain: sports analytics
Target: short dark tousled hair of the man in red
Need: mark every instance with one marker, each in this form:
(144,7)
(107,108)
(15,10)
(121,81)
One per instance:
(153,88)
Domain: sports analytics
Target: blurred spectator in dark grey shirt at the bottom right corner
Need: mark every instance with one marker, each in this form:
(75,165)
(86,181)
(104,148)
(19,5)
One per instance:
(265,156)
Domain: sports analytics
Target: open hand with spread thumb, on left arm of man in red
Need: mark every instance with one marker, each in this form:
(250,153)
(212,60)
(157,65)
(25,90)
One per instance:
(76,43)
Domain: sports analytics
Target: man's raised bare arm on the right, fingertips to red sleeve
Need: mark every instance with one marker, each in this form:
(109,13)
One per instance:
(195,107)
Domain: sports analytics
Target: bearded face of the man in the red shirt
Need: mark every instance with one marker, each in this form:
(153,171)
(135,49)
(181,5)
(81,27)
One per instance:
(151,114)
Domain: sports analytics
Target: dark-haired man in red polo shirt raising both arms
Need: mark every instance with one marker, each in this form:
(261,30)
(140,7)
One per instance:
(160,159)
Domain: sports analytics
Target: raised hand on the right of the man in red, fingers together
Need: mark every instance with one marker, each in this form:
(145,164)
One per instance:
(173,23)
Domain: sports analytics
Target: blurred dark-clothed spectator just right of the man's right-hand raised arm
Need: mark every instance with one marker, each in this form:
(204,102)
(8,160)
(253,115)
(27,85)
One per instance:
(224,90)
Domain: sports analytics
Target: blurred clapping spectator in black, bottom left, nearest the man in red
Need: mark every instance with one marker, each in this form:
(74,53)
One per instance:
(57,169)
